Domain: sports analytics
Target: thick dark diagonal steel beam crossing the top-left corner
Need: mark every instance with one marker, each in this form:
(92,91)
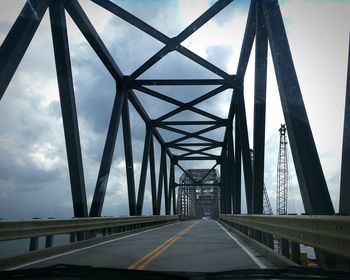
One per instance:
(18,39)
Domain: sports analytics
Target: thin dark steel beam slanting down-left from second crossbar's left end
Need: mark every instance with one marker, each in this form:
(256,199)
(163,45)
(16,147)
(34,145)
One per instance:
(142,185)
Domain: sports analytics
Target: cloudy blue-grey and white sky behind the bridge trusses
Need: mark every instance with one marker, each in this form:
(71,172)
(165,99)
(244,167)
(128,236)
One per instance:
(34,179)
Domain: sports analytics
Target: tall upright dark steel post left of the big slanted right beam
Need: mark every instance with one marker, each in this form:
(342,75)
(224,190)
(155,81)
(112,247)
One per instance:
(259,110)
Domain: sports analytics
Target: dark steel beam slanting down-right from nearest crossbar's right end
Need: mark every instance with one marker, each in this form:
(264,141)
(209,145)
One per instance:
(243,131)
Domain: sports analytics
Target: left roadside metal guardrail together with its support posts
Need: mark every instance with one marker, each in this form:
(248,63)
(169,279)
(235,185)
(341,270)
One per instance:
(77,228)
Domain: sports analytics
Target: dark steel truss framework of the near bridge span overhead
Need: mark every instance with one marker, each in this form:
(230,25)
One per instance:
(264,24)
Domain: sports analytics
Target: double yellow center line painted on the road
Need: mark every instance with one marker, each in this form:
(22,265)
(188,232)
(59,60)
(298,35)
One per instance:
(146,260)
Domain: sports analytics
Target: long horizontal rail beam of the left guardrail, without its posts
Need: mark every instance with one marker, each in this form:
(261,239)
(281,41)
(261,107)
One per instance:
(12,230)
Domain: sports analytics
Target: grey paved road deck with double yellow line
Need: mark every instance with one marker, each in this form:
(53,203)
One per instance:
(200,246)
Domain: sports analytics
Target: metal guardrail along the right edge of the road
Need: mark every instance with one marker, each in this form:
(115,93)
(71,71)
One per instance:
(327,233)
